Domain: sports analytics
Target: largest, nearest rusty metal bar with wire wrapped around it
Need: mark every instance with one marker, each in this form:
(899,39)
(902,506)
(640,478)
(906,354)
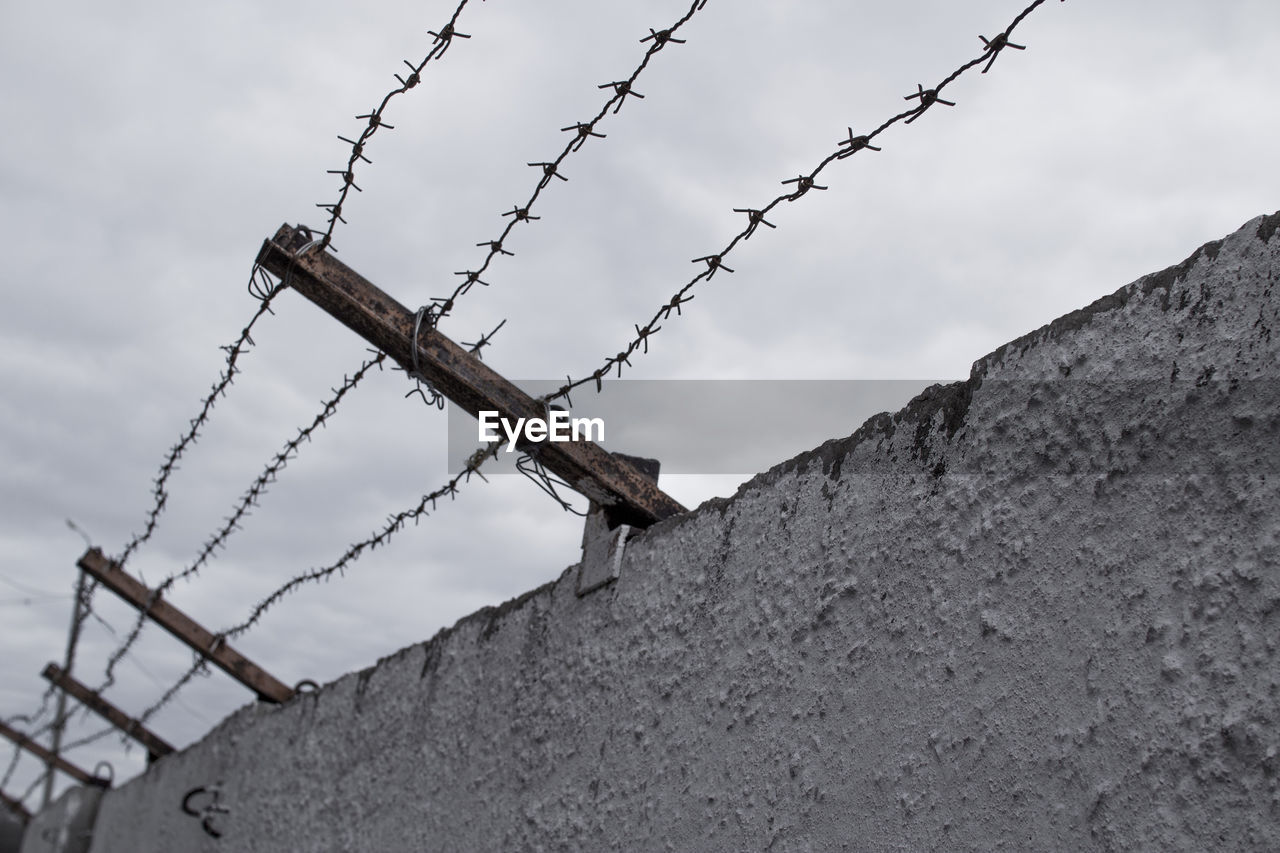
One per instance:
(367,311)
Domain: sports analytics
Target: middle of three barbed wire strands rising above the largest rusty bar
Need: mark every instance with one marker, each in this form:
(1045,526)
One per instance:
(550,170)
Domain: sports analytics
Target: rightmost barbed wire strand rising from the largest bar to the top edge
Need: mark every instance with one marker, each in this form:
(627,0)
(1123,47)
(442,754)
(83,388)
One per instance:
(756,217)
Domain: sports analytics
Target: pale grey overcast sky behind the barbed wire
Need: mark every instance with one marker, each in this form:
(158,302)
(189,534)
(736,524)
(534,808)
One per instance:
(152,147)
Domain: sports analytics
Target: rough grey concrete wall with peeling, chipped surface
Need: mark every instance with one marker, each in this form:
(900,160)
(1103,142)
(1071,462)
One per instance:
(1035,610)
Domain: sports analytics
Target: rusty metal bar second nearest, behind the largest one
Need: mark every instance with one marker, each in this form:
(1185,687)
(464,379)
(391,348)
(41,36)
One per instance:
(177,623)
